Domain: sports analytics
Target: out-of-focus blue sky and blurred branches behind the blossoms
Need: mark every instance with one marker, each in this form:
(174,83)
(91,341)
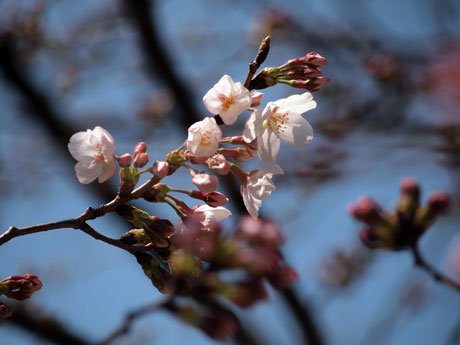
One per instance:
(140,68)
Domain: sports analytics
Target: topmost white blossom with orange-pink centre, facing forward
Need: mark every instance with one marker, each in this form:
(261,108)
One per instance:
(228,99)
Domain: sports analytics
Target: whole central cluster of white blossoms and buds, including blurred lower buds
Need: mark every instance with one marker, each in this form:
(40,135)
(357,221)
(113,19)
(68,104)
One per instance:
(186,259)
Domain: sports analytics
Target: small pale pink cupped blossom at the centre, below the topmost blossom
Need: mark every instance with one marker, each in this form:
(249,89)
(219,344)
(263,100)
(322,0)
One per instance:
(203,138)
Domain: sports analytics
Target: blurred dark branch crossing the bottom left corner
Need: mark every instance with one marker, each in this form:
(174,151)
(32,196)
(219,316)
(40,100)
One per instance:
(46,327)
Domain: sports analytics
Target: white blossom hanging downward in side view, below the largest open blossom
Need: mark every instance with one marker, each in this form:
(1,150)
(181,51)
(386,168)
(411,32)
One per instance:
(257,187)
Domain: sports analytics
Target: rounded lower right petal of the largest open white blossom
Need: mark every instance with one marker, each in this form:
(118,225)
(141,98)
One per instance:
(297,131)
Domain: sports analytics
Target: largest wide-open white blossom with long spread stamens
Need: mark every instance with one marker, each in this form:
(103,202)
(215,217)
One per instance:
(280,120)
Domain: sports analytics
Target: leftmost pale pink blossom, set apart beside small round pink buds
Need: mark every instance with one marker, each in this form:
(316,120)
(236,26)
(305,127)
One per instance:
(94,151)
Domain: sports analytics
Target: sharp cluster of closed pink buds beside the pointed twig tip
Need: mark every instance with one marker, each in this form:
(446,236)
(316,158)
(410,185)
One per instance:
(304,73)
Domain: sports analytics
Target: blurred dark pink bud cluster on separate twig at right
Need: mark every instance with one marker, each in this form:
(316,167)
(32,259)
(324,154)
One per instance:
(402,228)
